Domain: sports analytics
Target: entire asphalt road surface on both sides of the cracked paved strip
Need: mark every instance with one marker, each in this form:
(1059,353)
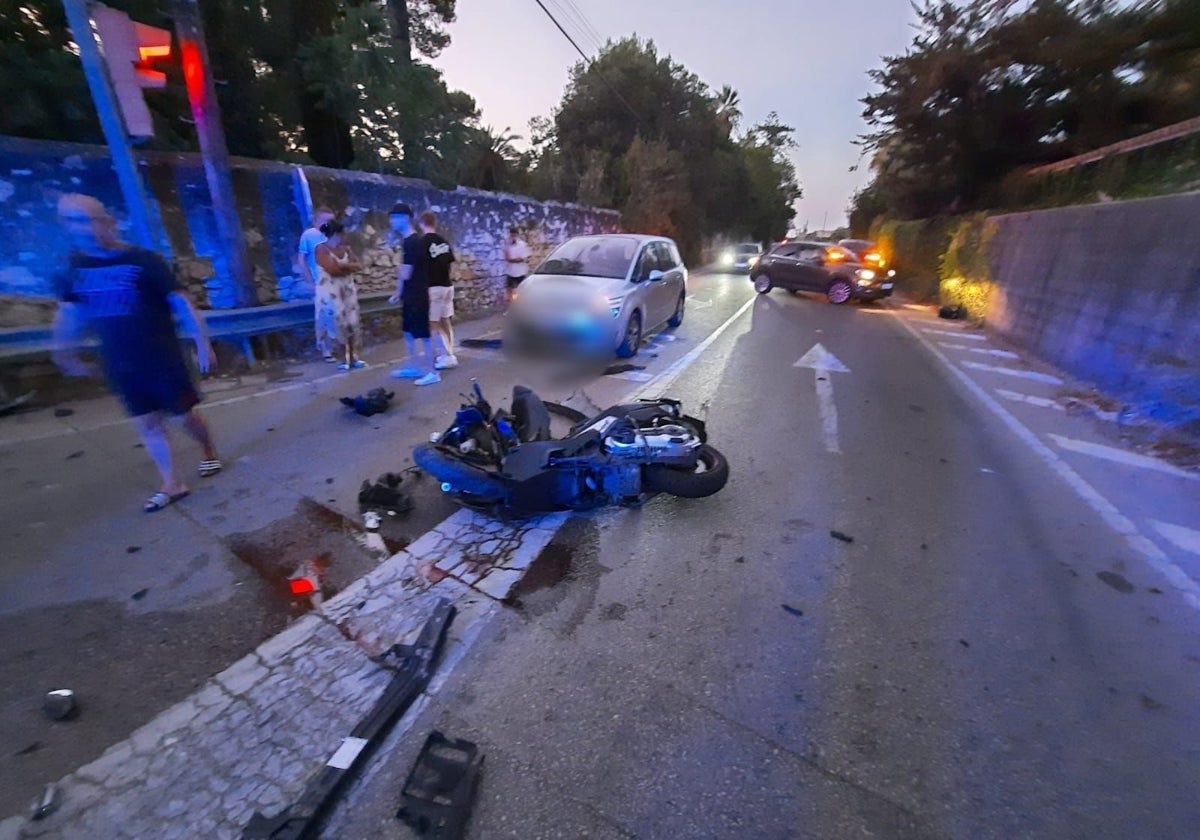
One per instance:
(989,657)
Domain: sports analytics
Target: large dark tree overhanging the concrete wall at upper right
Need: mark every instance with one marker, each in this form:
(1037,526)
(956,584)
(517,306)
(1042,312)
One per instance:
(989,87)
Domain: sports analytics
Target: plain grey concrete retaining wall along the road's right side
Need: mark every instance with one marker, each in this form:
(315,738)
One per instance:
(1109,293)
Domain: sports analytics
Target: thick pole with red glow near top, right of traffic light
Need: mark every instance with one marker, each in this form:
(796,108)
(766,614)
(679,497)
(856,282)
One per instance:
(207,115)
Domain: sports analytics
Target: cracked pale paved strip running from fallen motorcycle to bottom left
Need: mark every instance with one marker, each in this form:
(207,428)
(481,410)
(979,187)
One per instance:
(254,735)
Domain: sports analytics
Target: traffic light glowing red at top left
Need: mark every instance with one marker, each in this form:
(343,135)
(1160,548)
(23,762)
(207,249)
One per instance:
(130,50)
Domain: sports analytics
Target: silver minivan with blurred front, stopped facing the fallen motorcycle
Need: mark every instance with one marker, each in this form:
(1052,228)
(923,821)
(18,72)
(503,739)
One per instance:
(601,295)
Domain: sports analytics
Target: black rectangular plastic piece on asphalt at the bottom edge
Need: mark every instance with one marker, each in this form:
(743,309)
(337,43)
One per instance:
(441,789)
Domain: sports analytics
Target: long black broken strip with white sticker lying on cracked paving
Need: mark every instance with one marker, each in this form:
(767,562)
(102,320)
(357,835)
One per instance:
(413,667)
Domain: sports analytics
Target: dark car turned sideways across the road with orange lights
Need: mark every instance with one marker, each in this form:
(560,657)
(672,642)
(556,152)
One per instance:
(819,267)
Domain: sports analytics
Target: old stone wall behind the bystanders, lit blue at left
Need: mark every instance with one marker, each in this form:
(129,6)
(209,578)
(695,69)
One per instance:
(34,175)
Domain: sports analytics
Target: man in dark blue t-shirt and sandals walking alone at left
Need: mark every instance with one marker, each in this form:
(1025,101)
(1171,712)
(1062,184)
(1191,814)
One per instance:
(130,299)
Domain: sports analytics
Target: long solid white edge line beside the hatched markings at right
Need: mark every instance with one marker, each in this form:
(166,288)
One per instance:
(1121,524)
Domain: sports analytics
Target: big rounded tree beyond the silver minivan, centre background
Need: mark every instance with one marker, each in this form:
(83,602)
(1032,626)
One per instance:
(640,133)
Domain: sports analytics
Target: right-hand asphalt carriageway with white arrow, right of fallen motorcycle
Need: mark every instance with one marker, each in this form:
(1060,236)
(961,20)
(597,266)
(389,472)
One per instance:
(988,658)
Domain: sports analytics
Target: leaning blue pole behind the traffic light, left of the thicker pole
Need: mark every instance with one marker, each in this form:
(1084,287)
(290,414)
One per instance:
(147,225)
